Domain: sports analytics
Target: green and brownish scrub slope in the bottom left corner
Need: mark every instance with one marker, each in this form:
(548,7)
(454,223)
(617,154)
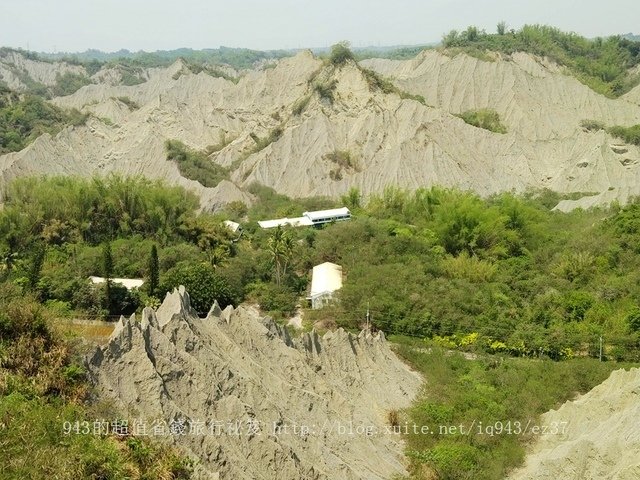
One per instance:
(42,386)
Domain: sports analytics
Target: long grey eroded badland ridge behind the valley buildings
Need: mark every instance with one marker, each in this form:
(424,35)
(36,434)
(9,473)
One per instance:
(391,140)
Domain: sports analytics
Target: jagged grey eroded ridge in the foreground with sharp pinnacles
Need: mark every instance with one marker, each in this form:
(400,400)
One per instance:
(254,402)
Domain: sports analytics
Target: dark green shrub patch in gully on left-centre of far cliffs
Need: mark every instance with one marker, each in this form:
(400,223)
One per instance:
(195,165)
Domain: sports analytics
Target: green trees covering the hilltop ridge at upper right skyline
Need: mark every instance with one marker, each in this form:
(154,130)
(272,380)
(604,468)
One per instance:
(602,64)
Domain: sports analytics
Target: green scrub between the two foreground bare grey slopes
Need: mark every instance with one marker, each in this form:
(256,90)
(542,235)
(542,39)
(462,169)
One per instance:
(483,411)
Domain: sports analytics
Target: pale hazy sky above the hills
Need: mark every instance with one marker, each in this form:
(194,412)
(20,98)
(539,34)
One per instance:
(109,25)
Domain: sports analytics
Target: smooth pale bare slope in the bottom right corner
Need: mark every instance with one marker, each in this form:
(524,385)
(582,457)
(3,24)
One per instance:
(599,436)
